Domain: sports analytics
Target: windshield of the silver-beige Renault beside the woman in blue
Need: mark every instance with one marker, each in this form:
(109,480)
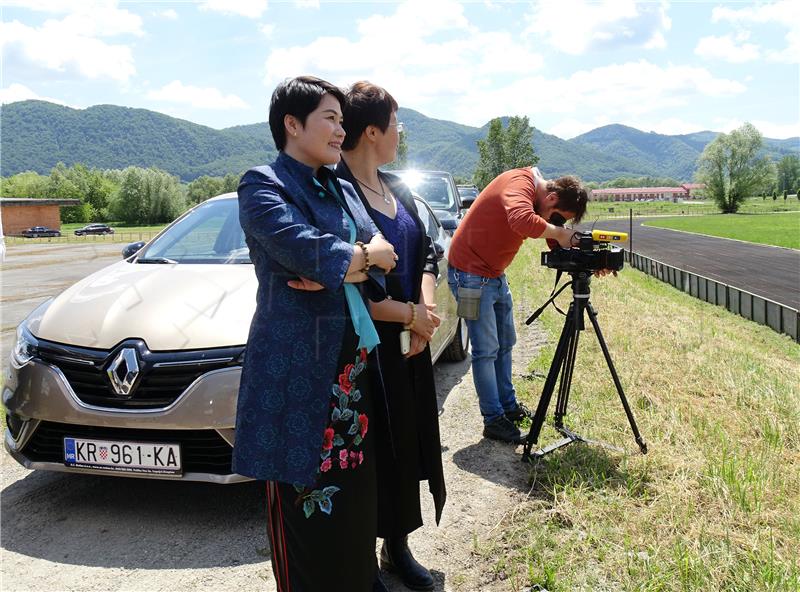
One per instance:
(210,233)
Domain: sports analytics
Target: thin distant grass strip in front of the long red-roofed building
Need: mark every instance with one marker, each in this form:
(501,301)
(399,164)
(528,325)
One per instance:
(754,205)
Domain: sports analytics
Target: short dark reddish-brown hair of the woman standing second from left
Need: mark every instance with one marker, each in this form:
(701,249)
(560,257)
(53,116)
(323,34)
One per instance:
(366,104)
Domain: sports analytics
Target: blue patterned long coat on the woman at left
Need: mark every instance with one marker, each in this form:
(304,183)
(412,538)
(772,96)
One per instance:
(293,227)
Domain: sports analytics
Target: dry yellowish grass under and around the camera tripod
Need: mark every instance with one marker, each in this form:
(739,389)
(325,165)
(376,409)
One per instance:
(715,504)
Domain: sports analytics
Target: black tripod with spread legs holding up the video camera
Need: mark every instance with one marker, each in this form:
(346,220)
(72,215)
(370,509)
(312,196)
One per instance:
(564,363)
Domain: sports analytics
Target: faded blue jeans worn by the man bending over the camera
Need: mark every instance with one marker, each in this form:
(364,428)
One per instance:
(492,336)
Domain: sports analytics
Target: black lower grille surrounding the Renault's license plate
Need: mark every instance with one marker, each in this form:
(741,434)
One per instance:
(202,451)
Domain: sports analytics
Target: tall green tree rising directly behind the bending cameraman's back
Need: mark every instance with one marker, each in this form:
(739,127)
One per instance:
(504,149)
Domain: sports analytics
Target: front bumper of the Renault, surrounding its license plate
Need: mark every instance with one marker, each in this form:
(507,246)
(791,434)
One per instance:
(201,419)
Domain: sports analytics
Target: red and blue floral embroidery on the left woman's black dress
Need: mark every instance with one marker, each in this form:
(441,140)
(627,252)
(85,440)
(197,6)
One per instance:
(341,439)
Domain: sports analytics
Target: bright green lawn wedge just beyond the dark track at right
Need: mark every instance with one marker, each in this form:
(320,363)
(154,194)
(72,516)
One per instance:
(782,230)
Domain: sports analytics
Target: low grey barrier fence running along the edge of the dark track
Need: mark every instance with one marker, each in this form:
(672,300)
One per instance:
(780,318)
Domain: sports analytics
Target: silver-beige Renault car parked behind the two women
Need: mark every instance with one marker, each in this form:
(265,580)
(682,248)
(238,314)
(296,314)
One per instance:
(134,371)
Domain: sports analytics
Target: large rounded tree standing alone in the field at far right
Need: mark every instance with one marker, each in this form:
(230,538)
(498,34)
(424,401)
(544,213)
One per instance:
(731,168)
